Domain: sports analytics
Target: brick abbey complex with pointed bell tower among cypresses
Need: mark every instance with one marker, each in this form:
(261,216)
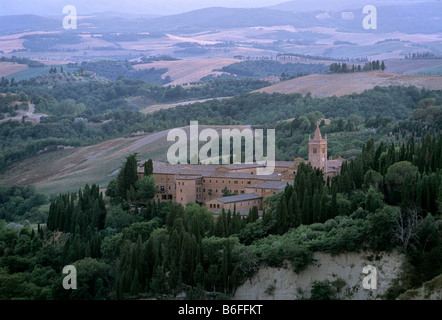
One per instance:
(235,186)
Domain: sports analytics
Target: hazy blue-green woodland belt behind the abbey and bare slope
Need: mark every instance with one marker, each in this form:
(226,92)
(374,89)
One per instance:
(72,108)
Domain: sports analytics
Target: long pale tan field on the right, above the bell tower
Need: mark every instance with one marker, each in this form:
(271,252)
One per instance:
(339,84)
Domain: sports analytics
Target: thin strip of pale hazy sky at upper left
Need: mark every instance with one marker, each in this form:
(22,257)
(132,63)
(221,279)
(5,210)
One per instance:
(52,7)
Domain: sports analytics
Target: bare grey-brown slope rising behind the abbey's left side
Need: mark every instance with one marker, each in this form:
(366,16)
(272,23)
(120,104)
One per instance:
(69,168)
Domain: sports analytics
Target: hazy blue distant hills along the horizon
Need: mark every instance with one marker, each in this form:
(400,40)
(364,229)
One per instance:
(412,17)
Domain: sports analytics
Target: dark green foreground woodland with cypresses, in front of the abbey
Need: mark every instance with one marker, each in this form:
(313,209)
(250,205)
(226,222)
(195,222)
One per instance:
(127,246)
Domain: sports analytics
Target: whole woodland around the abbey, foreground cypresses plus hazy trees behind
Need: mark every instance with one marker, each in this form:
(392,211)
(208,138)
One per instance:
(126,246)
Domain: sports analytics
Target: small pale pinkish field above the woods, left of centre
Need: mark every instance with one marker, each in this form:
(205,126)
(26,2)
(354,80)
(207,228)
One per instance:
(186,71)
